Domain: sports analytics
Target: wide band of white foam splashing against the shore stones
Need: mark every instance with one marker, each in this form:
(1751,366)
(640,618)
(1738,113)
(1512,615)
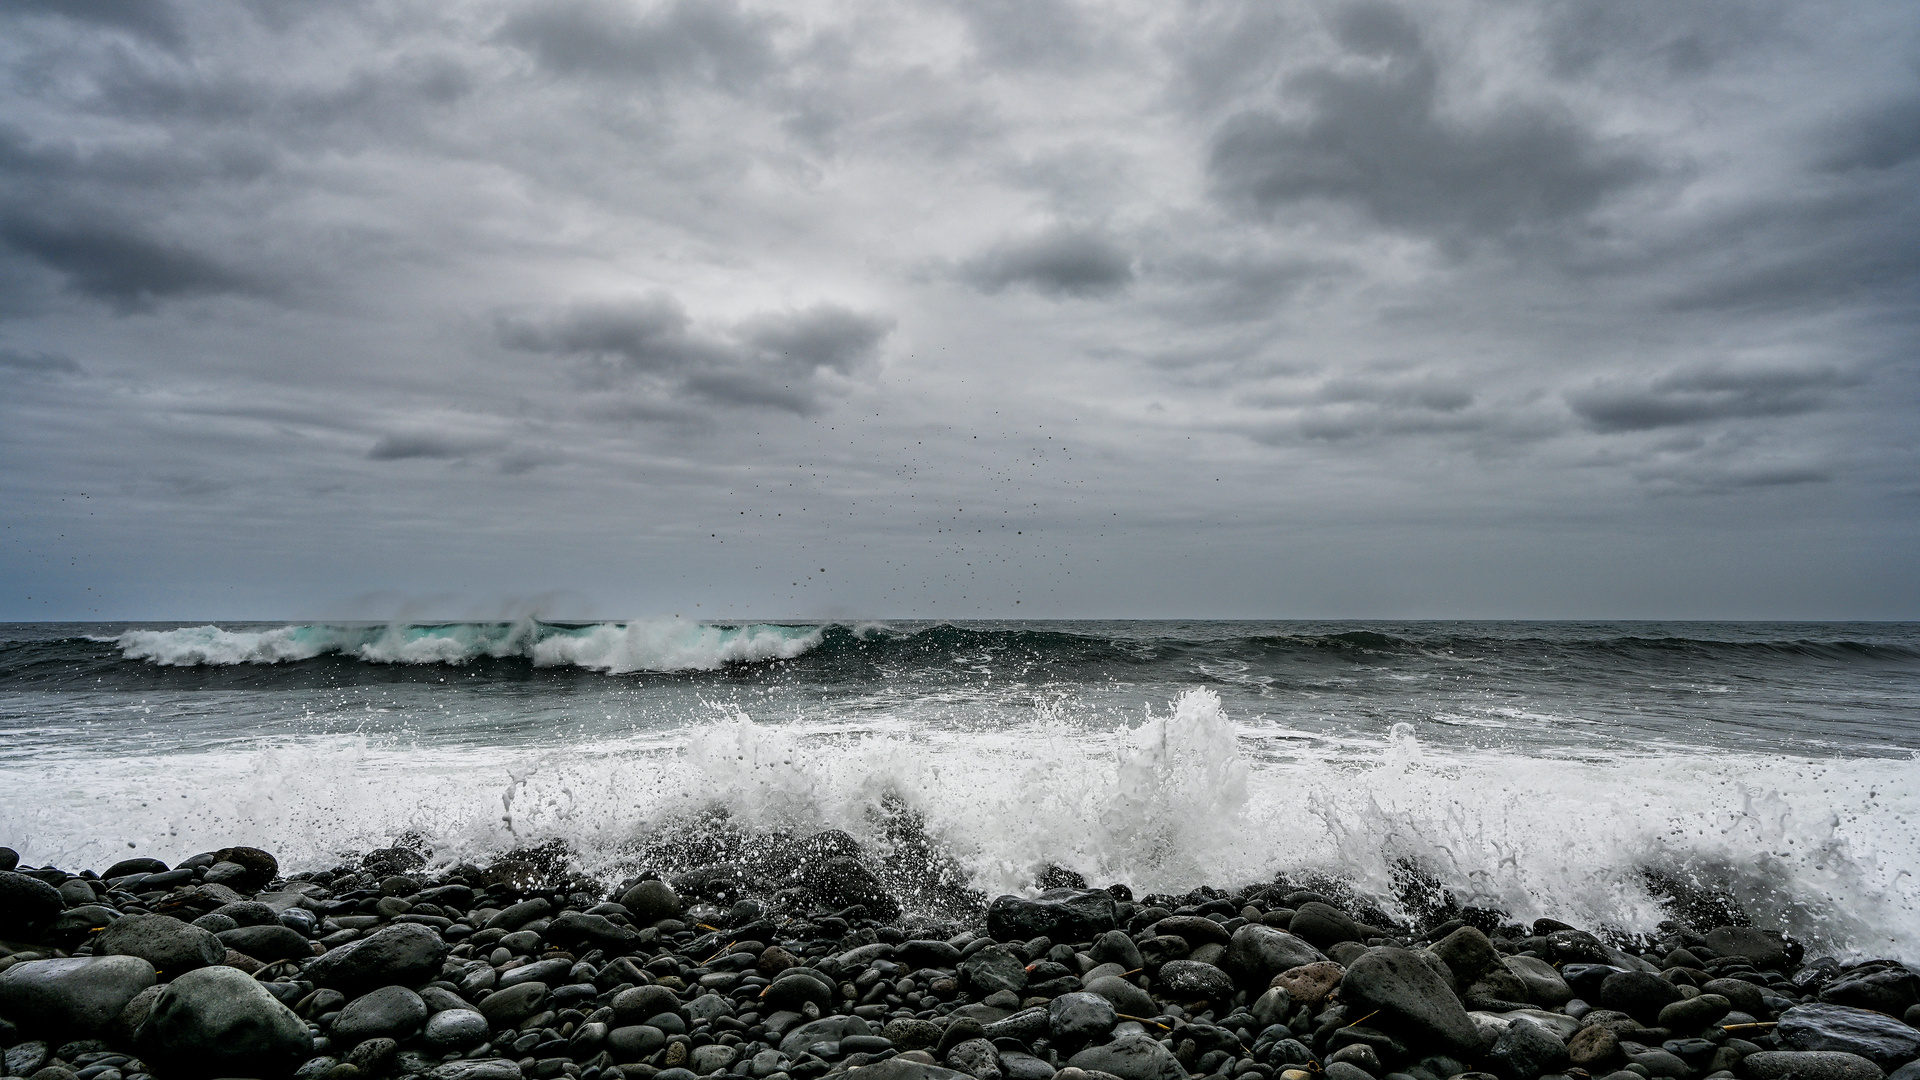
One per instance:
(1821,848)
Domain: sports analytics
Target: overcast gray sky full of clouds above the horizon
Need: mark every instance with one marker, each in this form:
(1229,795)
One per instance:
(959,308)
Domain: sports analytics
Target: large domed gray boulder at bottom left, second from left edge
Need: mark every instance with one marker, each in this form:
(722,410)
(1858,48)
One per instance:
(218,1021)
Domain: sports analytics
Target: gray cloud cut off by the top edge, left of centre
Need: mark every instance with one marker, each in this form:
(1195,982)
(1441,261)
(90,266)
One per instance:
(713,41)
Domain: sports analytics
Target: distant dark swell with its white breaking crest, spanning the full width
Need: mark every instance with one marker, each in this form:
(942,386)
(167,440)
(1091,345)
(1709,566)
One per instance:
(302,656)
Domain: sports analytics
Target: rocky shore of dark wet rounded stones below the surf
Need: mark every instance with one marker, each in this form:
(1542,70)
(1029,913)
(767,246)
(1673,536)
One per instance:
(525,970)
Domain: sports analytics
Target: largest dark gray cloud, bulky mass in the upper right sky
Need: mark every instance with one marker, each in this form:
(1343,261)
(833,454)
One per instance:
(1376,135)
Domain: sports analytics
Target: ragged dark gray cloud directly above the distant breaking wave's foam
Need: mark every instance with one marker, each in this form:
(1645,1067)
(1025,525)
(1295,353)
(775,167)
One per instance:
(771,360)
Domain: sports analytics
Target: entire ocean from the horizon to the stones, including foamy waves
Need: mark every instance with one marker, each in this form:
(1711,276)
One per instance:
(1596,773)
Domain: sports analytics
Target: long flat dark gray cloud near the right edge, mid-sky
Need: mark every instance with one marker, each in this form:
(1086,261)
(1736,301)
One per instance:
(1702,397)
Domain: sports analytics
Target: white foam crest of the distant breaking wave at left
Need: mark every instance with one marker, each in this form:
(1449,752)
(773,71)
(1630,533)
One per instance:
(663,645)
